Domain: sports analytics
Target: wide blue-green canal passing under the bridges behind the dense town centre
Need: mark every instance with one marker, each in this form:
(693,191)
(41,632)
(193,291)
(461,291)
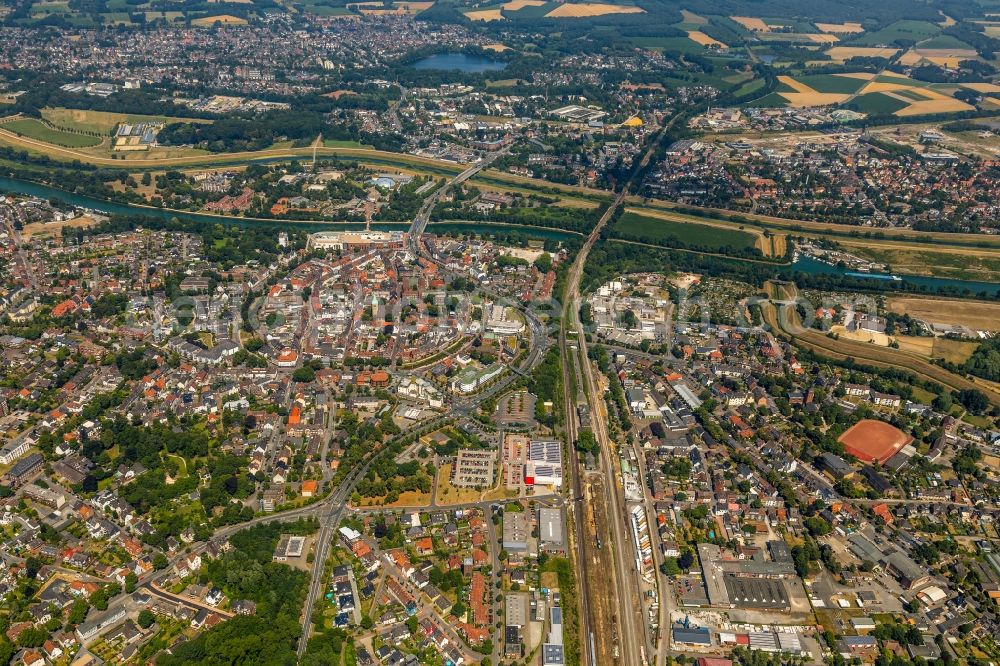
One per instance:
(805,264)
